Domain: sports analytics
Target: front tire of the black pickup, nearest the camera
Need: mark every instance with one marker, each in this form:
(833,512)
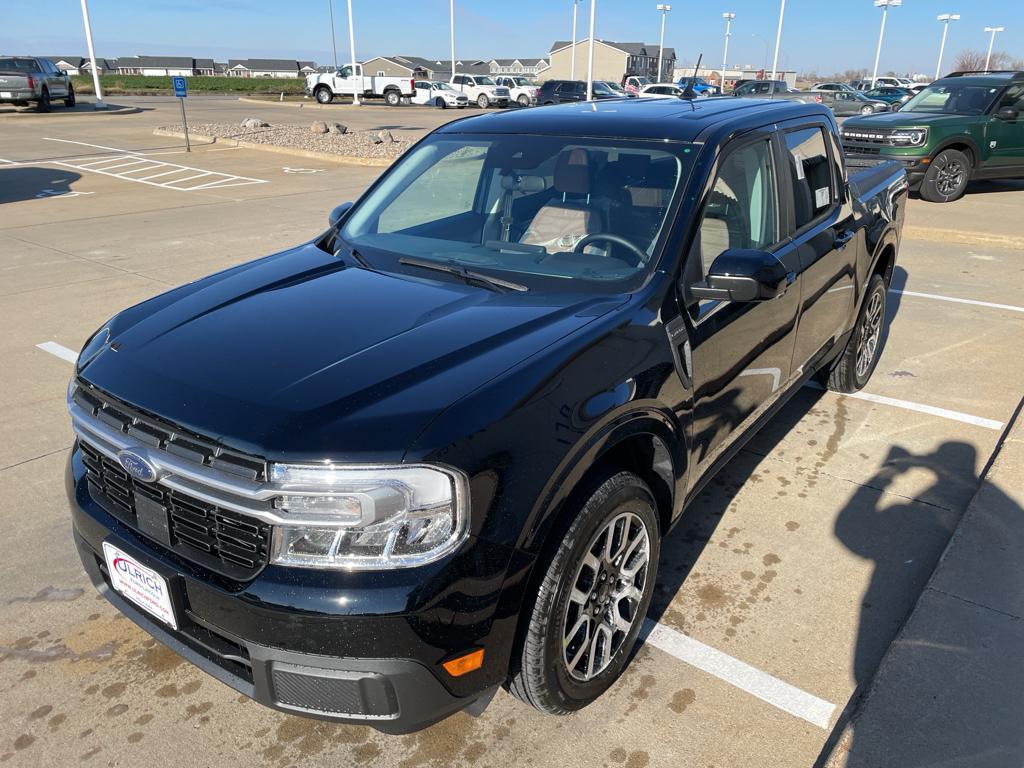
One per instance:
(542,674)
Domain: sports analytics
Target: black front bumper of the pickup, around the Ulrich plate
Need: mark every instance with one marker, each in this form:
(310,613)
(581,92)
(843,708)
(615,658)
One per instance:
(290,639)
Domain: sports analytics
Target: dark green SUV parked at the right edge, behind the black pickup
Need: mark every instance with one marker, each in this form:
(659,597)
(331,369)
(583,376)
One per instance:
(969,125)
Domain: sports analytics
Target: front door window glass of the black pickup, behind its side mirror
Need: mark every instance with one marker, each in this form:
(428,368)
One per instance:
(742,210)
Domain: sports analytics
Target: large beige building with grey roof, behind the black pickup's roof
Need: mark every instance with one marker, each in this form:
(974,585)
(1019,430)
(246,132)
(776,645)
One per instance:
(612,61)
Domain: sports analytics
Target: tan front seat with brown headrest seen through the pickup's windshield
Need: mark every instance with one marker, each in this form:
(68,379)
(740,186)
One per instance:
(570,218)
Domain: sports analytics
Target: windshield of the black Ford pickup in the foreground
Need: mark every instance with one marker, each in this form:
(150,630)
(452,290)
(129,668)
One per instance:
(522,205)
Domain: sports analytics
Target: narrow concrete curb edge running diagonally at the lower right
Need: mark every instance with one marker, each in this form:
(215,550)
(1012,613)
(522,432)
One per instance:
(838,744)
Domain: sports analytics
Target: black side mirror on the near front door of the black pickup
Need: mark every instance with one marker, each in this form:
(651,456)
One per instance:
(742,275)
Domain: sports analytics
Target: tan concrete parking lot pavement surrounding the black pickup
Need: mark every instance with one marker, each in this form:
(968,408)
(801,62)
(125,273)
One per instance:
(778,595)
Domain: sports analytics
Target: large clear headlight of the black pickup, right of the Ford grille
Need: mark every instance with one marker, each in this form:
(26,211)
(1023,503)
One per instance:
(368,518)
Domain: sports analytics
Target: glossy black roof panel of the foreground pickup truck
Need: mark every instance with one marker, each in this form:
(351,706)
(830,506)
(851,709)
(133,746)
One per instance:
(658,119)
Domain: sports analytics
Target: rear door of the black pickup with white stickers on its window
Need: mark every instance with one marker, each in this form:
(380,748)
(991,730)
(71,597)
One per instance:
(825,236)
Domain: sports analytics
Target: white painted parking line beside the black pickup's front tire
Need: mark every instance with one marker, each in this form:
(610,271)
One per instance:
(777,693)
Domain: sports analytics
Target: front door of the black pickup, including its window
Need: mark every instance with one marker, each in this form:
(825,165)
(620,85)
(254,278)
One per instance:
(739,355)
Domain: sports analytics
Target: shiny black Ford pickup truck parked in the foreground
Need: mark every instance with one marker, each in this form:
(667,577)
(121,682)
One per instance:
(435,451)
